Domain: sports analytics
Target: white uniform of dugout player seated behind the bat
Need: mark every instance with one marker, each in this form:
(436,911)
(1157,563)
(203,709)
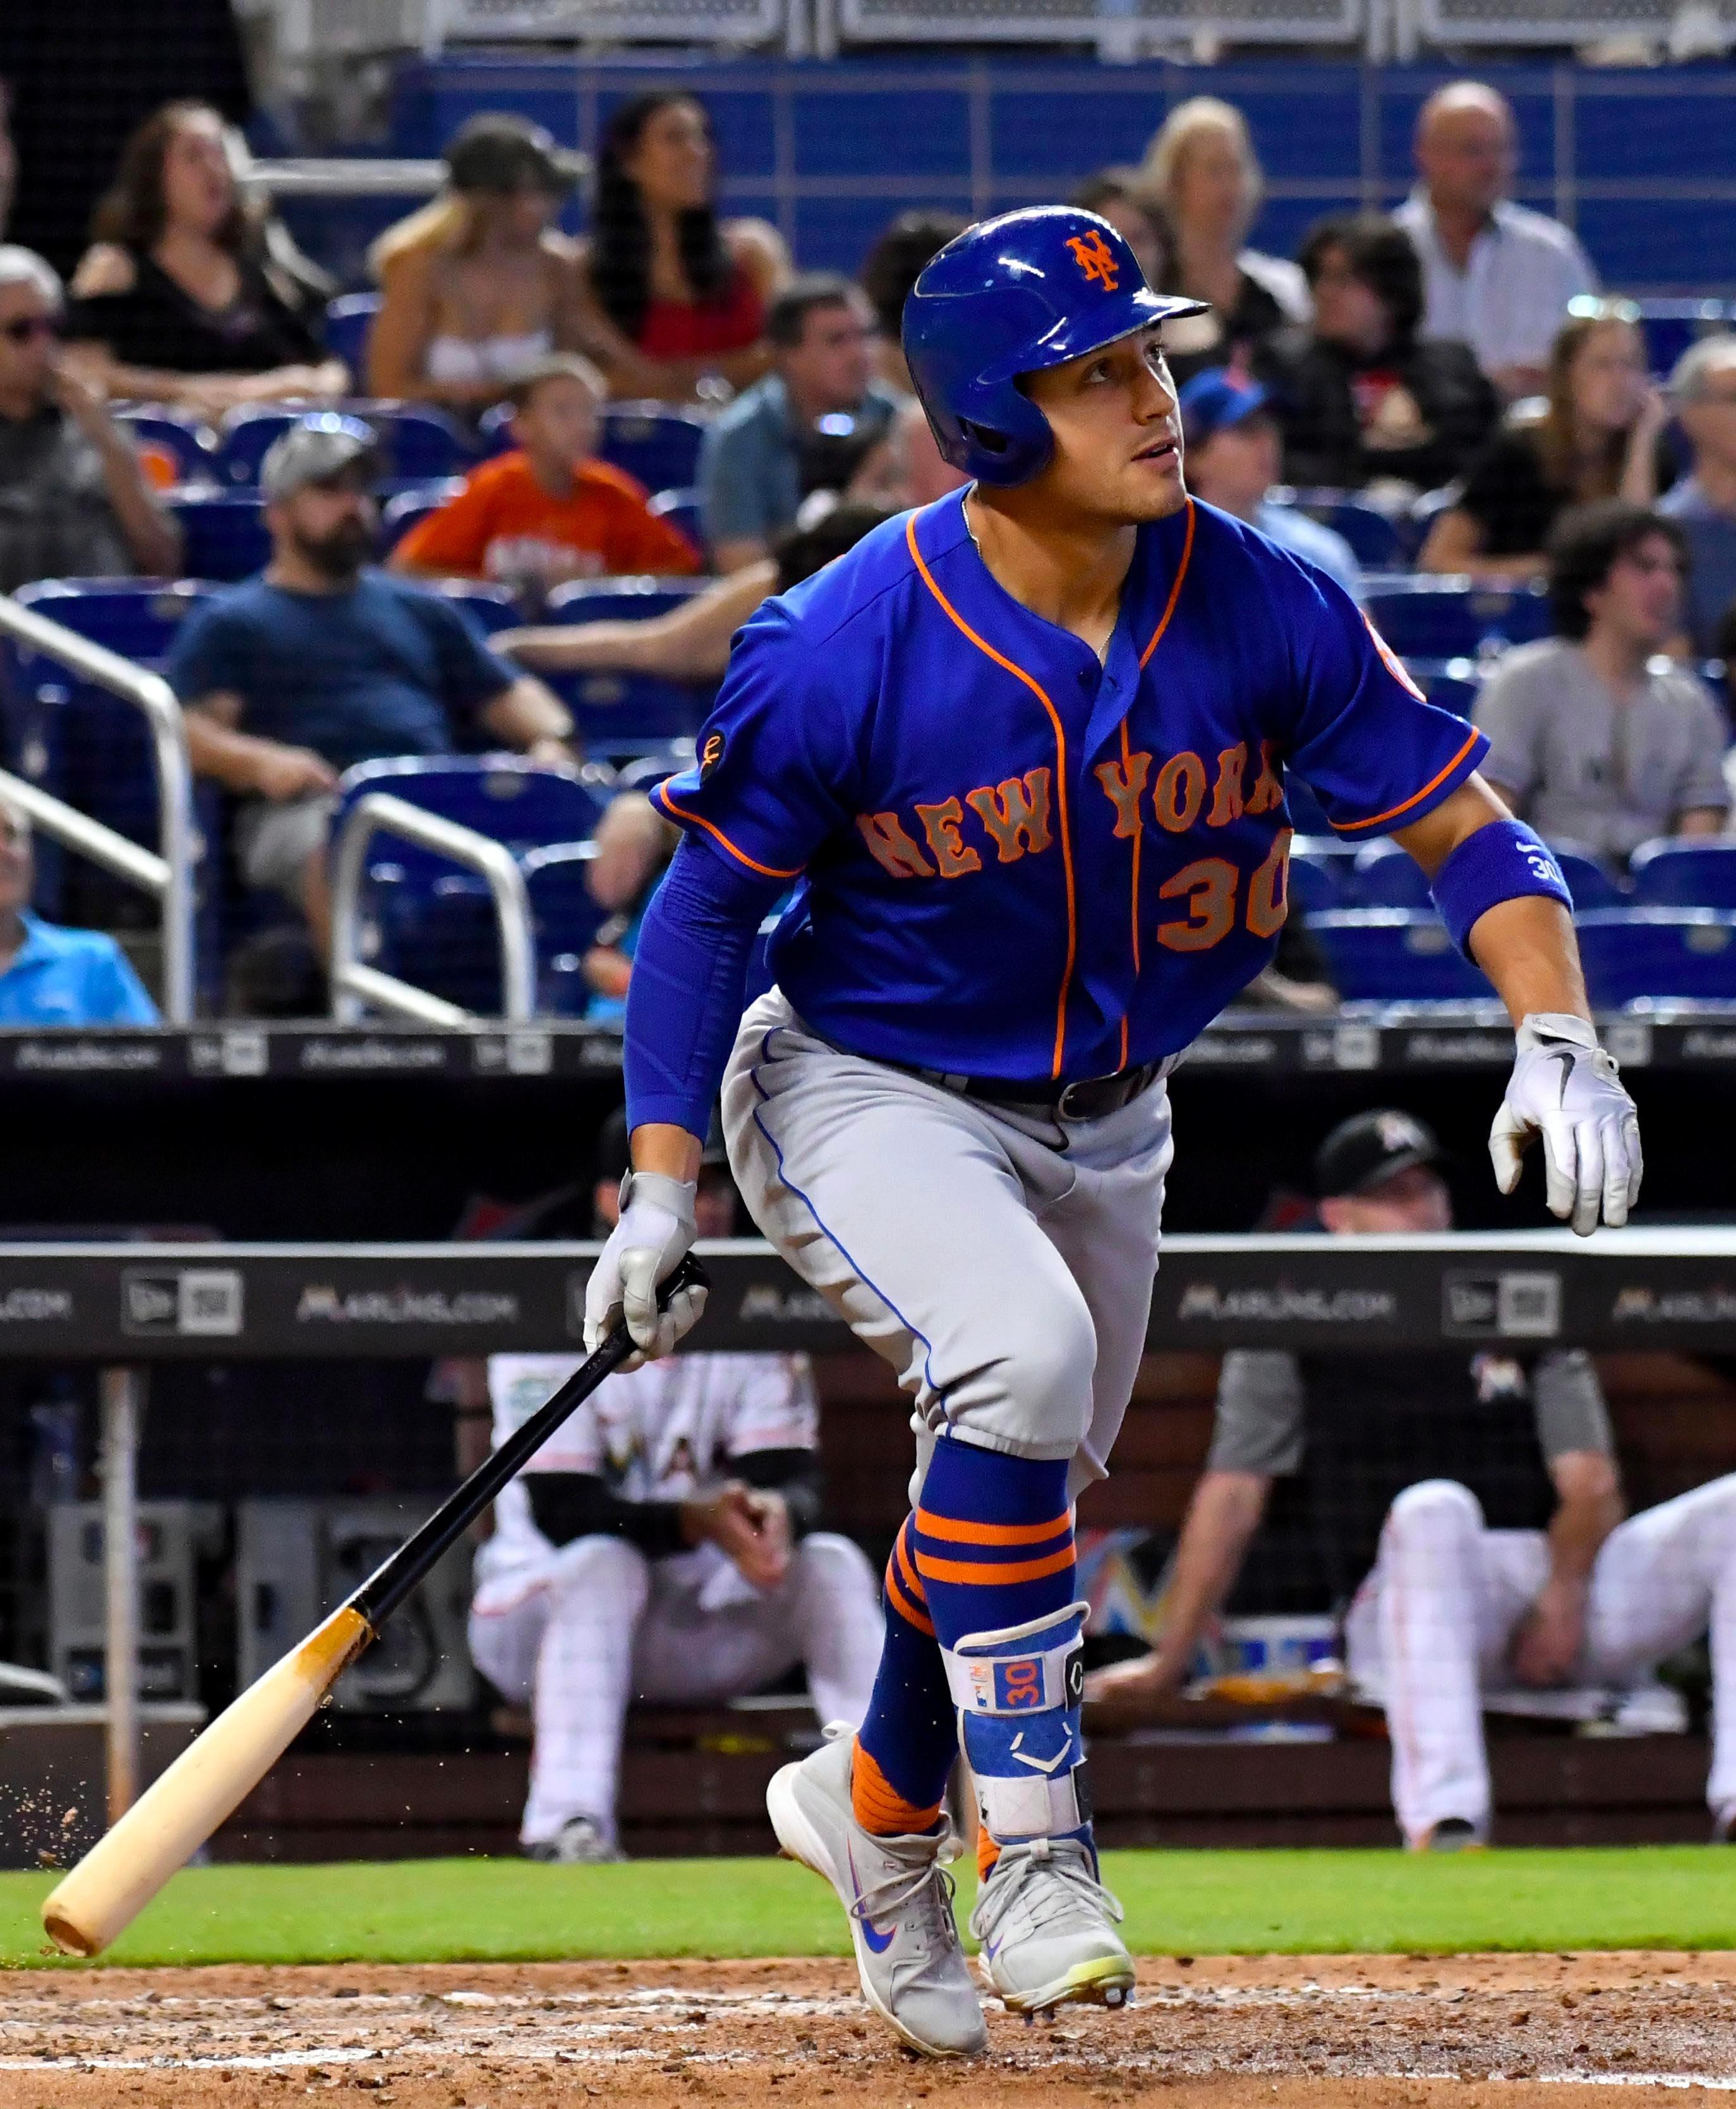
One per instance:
(585,1627)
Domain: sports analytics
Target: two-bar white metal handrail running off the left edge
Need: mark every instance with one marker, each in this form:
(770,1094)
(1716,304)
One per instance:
(168,874)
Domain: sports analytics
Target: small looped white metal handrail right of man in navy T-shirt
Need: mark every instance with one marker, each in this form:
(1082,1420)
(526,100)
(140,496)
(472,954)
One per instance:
(355,984)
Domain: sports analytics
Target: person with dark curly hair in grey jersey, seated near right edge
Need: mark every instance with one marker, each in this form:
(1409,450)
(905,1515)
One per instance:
(1594,737)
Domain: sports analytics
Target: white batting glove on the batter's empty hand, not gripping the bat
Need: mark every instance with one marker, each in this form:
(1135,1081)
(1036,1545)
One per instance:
(1566,1089)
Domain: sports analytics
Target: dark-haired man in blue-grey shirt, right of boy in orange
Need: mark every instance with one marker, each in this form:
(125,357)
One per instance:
(807,427)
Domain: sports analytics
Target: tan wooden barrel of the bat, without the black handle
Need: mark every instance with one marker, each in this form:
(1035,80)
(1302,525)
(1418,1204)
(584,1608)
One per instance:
(123,1872)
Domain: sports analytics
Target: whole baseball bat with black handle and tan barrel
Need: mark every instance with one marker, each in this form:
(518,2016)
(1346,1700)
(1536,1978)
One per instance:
(178,1813)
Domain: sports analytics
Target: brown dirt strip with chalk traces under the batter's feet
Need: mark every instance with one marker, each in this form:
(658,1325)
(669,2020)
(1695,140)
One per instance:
(1205,2034)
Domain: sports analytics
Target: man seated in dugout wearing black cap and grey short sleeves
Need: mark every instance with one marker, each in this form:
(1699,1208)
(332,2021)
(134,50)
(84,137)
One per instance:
(1465,1511)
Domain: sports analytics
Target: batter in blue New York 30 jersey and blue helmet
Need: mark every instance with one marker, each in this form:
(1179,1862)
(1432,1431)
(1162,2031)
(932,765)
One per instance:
(1022,756)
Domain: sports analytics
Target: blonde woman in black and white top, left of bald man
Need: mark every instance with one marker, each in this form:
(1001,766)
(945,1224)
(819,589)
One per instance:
(1203,176)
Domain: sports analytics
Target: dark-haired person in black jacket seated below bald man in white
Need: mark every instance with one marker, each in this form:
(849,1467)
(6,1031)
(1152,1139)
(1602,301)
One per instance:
(1362,398)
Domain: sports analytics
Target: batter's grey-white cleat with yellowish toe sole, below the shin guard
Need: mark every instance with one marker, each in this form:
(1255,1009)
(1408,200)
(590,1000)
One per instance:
(1045,1924)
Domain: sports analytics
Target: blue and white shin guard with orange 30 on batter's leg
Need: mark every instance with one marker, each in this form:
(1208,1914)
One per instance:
(1018,1697)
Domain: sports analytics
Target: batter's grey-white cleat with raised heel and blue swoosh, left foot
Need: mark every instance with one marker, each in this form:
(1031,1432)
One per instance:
(900,1901)
